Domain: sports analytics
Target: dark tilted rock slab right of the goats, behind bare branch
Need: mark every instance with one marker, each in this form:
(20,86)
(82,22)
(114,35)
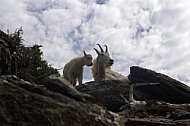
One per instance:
(169,90)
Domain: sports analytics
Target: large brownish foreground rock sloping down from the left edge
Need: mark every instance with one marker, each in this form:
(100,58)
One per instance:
(25,103)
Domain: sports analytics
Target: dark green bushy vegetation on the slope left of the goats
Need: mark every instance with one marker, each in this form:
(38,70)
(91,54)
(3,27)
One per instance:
(18,59)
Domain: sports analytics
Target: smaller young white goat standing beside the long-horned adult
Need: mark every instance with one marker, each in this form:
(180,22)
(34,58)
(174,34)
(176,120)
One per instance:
(73,70)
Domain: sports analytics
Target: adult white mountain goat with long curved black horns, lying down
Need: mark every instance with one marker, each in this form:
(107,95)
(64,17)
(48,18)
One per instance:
(101,67)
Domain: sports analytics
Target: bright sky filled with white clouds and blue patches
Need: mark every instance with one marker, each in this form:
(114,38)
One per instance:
(153,34)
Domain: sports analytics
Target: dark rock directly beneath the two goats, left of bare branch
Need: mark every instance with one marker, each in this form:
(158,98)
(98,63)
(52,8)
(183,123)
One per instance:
(106,93)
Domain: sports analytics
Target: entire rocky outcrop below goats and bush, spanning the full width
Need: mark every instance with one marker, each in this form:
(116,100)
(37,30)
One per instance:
(53,101)
